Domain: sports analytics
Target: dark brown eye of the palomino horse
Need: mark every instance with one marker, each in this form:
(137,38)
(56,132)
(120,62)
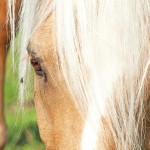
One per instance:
(35,62)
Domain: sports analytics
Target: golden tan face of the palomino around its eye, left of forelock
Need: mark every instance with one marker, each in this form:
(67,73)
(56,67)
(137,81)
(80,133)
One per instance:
(60,123)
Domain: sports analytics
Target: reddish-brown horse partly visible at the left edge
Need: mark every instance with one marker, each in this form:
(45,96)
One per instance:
(4,42)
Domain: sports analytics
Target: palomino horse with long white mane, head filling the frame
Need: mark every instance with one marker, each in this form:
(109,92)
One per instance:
(92,77)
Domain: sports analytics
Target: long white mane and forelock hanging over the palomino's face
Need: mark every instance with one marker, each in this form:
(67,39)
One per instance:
(105,59)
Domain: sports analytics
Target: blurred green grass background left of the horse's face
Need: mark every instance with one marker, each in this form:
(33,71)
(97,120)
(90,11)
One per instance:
(21,122)
